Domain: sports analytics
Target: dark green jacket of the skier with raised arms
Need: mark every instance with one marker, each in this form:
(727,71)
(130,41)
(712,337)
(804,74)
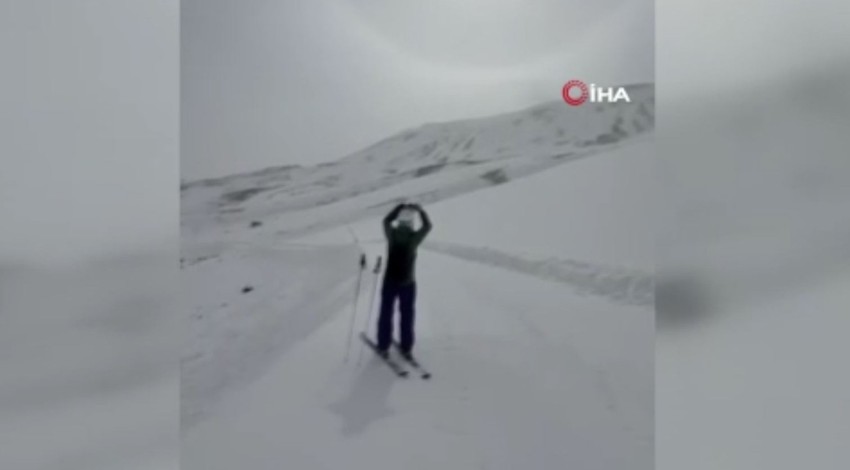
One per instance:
(402,243)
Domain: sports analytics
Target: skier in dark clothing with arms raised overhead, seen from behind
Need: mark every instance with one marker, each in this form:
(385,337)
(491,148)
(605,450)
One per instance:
(399,279)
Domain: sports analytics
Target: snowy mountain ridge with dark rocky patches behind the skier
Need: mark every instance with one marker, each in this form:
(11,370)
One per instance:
(428,164)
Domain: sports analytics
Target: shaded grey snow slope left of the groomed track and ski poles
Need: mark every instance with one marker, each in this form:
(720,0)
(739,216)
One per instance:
(235,340)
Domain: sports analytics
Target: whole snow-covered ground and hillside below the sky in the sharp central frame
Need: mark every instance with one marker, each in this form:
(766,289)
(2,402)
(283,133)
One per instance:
(533,312)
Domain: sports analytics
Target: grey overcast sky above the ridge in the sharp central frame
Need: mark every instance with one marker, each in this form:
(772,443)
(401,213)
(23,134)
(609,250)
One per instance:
(272,82)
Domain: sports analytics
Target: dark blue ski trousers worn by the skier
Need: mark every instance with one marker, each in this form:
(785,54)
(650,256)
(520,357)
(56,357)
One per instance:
(406,295)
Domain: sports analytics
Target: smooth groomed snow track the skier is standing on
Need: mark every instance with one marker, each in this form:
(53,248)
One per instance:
(509,390)
